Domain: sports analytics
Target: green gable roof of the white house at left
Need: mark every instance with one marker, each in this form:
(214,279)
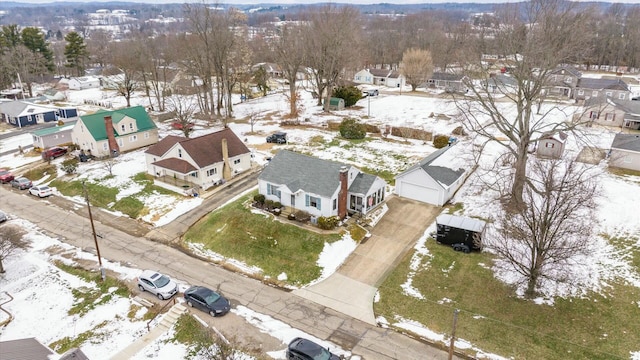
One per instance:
(95,122)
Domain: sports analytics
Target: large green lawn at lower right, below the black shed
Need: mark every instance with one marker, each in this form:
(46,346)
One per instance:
(495,320)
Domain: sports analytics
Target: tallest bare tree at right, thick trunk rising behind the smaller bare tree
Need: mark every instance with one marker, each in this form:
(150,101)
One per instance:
(534,48)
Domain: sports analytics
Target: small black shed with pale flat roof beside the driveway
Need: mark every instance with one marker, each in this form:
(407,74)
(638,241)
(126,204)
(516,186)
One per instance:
(462,233)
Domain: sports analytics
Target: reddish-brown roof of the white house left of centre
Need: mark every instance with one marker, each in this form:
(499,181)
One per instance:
(204,150)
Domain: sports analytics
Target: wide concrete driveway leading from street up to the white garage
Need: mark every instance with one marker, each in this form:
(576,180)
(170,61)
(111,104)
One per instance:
(352,288)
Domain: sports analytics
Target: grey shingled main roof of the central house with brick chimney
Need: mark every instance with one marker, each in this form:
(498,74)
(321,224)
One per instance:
(302,172)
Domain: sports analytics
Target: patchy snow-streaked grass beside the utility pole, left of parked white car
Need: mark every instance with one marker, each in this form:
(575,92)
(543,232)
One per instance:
(88,298)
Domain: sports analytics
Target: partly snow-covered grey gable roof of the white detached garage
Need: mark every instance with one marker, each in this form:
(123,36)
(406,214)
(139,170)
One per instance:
(441,166)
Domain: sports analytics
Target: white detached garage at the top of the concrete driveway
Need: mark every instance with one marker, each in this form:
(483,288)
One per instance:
(435,179)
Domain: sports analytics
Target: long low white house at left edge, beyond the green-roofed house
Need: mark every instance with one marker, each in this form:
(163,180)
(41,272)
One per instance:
(23,113)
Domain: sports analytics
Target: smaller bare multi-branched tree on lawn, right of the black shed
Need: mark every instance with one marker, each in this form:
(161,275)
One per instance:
(554,228)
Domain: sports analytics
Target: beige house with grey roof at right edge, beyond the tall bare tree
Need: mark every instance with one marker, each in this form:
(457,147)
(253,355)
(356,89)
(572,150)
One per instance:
(612,112)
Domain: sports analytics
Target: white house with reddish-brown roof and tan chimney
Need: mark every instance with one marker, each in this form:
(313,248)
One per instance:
(200,162)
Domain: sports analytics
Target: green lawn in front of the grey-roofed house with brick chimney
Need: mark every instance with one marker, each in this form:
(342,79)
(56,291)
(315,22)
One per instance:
(259,240)
